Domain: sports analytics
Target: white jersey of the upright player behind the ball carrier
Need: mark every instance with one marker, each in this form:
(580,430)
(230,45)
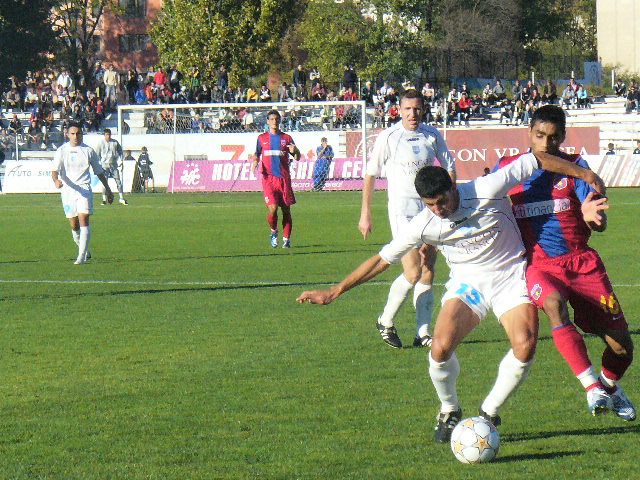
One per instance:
(401,153)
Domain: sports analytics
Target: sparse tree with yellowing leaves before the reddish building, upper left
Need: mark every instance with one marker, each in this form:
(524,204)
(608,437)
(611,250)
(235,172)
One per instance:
(76,22)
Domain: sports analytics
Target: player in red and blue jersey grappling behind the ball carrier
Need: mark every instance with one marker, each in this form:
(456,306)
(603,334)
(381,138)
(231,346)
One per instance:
(556,215)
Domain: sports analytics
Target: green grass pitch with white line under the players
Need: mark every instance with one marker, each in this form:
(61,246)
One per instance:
(179,353)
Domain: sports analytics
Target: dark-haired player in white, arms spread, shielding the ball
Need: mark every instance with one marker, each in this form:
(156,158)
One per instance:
(474,227)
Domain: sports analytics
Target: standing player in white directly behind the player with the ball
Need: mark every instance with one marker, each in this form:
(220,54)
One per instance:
(402,150)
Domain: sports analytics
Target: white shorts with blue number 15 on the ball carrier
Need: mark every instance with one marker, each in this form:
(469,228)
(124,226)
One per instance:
(499,291)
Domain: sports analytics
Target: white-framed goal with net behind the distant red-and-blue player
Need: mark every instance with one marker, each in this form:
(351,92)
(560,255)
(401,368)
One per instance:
(206,147)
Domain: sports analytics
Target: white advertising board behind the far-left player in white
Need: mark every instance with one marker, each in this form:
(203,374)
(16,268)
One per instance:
(34,176)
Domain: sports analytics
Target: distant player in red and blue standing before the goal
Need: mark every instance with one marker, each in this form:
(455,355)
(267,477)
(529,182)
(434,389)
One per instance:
(274,150)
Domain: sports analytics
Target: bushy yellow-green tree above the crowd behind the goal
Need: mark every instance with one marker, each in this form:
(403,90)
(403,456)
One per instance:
(244,36)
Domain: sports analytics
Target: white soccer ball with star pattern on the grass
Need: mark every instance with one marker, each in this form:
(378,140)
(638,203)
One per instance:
(475,440)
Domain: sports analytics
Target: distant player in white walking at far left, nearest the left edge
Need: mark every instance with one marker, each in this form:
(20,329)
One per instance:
(70,173)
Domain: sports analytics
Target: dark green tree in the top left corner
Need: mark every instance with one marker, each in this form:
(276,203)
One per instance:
(25,35)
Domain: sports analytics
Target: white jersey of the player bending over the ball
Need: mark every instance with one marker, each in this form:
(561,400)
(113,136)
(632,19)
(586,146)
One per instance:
(482,234)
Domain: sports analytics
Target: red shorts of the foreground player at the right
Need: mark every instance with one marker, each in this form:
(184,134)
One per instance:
(581,279)
